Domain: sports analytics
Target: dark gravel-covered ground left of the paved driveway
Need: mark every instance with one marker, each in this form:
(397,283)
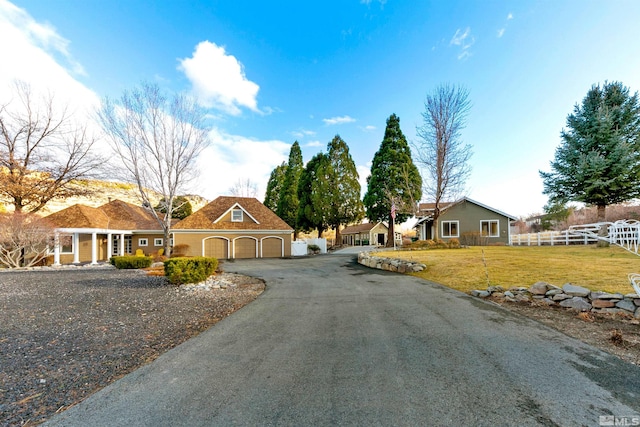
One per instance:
(65,334)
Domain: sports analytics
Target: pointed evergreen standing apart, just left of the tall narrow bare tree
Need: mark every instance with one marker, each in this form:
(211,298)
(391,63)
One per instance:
(394,179)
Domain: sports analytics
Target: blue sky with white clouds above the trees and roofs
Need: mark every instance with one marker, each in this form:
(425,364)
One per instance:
(271,73)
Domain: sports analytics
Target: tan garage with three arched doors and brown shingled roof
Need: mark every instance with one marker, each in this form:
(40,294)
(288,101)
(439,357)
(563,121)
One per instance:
(234,227)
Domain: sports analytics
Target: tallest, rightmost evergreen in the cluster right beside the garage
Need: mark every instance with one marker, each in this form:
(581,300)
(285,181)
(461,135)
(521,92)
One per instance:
(343,189)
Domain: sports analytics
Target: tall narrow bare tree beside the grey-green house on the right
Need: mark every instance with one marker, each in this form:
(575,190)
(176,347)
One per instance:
(440,152)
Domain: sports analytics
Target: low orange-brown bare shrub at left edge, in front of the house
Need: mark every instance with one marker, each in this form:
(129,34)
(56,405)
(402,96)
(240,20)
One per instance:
(25,239)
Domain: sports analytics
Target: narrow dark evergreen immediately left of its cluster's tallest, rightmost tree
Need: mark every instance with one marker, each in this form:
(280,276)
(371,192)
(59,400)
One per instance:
(312,211)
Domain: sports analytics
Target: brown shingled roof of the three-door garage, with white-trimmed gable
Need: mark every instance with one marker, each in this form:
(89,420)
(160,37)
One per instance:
(208,218)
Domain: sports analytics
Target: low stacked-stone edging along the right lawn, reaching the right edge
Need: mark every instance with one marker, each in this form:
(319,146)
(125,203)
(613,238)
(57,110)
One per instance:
(569,296)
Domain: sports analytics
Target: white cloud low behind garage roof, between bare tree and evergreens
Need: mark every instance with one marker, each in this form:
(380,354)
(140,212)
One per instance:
(233,157)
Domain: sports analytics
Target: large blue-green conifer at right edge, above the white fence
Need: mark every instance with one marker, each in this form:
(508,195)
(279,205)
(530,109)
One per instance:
(598,160)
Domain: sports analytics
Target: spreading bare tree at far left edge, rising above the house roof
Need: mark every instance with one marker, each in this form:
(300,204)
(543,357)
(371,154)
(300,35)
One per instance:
(42,151)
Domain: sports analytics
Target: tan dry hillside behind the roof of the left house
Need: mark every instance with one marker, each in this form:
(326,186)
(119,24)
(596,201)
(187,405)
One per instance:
(105,191)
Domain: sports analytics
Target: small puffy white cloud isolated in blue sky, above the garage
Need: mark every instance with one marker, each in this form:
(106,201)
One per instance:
(218,79)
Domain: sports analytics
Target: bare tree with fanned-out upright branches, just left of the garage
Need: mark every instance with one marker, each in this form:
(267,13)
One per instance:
(158,140)
